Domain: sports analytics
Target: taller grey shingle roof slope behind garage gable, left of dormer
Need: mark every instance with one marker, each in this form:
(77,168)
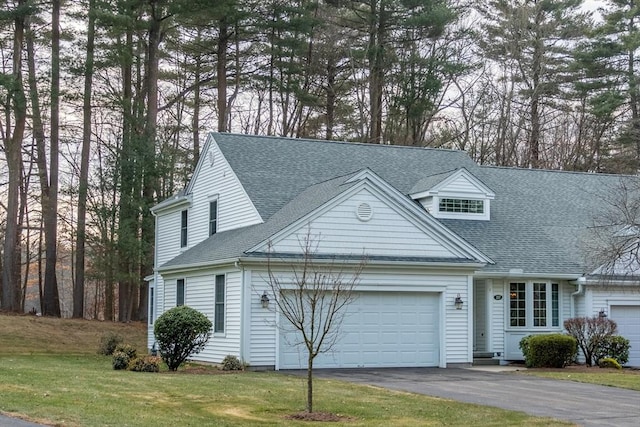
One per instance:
(273,170)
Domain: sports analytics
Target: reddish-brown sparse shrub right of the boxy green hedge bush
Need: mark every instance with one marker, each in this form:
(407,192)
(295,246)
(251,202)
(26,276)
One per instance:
(590,333)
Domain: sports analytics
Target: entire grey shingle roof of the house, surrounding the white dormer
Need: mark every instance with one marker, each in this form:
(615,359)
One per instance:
(539,219)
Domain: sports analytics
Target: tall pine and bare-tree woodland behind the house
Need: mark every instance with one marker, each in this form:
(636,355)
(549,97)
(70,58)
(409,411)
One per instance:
(104,105)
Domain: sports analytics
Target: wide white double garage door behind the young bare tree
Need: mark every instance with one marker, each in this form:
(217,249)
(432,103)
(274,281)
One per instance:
(381,329)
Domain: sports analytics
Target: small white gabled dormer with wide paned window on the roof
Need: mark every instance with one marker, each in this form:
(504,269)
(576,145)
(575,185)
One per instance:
(454,195)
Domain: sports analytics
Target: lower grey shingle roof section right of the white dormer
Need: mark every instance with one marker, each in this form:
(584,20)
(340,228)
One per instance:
(540,220)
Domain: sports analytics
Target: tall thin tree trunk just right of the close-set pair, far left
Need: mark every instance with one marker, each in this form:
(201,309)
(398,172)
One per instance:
(78,288)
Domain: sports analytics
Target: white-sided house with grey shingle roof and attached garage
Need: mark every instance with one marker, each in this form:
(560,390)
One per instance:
(463,259)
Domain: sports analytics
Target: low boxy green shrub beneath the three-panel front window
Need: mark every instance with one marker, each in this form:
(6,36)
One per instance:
(548,351)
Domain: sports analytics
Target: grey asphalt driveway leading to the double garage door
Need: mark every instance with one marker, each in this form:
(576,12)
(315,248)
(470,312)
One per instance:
(584,404)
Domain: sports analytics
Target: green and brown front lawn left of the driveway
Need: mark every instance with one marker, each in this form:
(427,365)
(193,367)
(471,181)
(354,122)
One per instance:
(51,374)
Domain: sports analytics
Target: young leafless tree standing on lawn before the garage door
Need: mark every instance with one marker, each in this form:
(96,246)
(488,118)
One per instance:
(312,296)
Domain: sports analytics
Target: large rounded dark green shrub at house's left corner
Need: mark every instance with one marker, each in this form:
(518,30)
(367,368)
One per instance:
(181,332)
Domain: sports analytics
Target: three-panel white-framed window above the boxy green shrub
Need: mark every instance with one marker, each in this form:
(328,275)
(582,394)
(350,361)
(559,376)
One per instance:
(534,304)
